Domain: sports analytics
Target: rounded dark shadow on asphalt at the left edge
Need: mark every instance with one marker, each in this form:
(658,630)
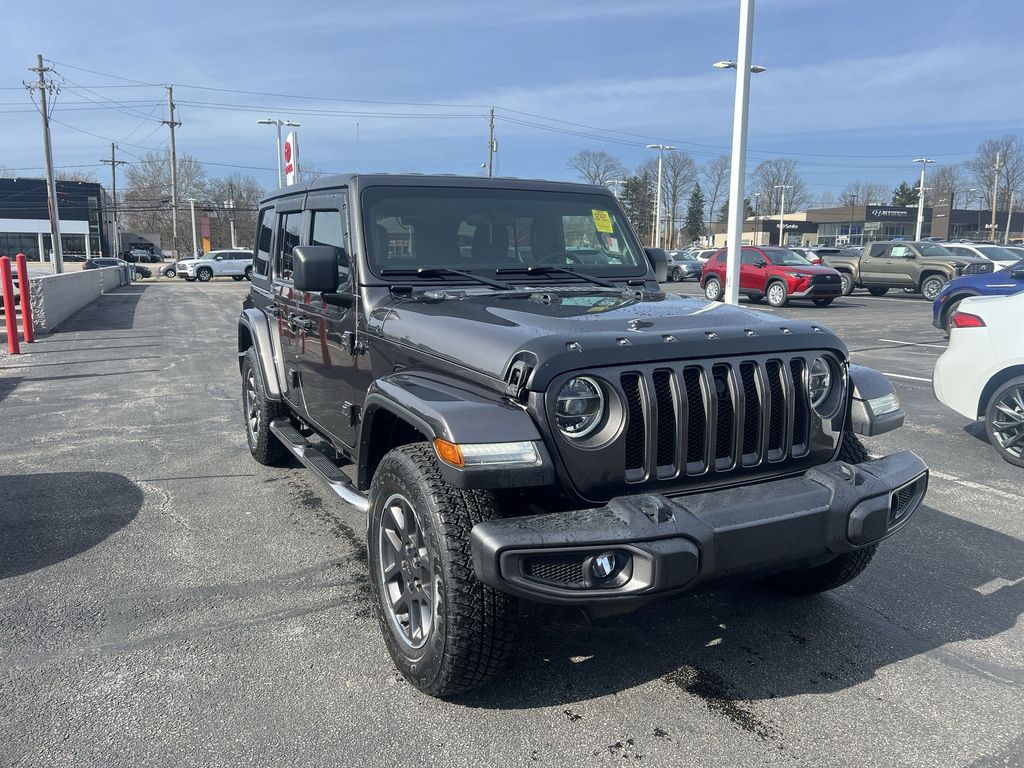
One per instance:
(50,518)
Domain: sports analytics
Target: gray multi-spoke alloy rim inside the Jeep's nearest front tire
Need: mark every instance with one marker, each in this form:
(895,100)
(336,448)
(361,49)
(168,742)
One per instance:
(407,573)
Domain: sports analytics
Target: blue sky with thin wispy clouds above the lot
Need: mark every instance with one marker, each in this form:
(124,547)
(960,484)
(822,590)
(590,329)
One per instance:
(855,91)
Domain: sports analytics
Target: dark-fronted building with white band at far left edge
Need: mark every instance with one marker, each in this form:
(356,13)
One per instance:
(25,219)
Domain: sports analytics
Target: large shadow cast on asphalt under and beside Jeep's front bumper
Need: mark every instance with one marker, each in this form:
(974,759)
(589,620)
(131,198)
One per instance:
(944,581)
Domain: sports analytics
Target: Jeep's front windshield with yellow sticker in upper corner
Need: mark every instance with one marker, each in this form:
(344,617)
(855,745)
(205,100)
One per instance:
(481,231)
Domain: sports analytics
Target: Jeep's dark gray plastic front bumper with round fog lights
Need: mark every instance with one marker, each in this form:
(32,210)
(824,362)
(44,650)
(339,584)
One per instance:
(664,546)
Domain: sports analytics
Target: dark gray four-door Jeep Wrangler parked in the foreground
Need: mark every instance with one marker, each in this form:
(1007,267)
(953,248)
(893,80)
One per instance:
(489,369)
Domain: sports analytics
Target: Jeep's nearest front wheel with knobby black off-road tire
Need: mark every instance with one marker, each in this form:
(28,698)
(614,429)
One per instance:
(467,632)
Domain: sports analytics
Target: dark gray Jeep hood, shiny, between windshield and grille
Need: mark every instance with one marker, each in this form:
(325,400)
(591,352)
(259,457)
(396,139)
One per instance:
(558,330)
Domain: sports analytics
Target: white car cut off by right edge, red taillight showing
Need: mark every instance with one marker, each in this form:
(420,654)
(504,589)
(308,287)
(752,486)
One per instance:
(982,375)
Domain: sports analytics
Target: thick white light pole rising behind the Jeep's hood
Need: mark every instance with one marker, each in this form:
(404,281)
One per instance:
(738,162)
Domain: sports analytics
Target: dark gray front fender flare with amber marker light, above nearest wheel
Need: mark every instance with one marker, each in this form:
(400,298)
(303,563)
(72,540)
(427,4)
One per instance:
(452,411)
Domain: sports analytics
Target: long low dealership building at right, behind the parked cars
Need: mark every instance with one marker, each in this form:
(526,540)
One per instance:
(860,225)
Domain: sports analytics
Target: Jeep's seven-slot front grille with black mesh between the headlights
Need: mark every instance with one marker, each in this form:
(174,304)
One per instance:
(698,418)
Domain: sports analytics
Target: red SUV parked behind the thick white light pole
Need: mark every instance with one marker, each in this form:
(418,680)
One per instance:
(778,274)
